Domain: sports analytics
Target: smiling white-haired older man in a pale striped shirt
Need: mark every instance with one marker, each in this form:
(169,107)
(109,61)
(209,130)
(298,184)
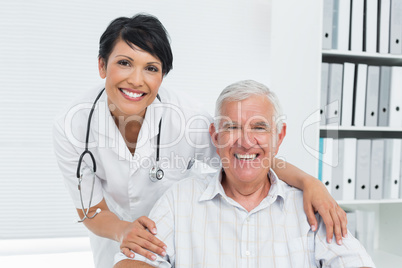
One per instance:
(243,216)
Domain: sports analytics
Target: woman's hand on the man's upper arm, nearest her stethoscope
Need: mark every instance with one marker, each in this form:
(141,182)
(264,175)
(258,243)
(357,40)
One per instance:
(137,238)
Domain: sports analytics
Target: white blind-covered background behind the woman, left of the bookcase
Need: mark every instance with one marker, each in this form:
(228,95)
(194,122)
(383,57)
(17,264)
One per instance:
(48,55)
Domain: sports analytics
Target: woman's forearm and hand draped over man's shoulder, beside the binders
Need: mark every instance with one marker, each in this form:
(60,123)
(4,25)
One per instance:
(316,198)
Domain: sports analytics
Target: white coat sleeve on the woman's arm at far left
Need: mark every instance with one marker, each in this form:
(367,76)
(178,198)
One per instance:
(67,156)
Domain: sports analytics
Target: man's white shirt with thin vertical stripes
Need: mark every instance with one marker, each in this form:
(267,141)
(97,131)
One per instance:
(203,227)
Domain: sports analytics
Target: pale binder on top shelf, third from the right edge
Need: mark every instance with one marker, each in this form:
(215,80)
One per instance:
(370,41)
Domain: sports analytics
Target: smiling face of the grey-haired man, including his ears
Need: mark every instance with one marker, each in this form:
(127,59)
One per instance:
(246,138)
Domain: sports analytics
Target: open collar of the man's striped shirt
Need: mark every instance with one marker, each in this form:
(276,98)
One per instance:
(276,191)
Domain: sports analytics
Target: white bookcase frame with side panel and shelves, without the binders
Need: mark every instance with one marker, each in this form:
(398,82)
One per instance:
(296,77)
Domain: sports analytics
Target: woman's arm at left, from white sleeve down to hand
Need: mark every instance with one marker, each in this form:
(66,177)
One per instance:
(130,235)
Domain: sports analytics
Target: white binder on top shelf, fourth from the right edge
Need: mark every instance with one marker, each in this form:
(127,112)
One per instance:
(356,42)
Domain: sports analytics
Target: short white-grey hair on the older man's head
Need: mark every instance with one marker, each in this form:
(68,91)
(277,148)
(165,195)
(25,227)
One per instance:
(243,90)
